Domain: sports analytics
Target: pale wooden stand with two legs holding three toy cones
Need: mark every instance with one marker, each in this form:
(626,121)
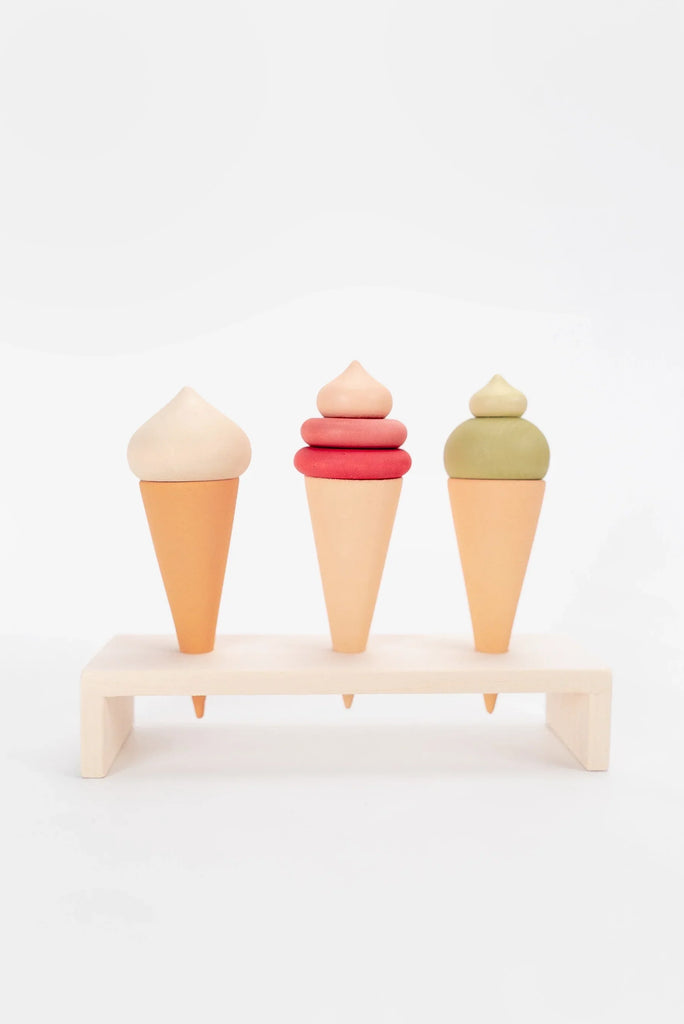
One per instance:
(578,689)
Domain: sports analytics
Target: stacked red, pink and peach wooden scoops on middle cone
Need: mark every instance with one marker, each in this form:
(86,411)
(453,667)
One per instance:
(354,440)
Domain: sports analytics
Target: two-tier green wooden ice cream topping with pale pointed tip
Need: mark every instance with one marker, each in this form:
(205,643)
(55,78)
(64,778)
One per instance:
(497,444)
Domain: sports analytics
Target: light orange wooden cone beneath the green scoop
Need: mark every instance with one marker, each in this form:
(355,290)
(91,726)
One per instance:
(495,522)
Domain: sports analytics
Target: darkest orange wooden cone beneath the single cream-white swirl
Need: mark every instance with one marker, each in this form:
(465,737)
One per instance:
(191,523)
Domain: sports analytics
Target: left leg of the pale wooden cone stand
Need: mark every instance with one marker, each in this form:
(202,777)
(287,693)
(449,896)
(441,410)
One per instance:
(106,723)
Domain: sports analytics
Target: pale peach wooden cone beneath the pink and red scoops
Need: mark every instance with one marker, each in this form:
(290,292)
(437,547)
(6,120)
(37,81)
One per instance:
(353,524)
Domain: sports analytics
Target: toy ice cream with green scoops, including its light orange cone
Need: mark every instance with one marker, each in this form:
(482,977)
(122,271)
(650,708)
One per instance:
(496,462)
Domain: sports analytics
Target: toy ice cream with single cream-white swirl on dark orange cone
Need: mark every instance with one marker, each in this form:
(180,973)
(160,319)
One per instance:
(189,458)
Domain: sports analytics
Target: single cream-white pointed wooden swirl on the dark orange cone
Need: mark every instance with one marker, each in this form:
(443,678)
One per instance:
(189,440)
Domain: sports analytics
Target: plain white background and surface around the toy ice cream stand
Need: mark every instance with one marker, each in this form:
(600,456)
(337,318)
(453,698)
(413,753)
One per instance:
(244,198)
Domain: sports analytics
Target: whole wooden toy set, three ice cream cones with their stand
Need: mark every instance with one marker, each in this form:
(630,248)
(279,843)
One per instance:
(190,457)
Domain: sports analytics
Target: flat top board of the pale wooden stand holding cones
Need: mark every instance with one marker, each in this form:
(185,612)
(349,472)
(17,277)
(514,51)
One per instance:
(280,664)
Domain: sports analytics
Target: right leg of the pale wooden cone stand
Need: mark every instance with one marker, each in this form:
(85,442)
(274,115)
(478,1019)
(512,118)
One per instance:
(582,722)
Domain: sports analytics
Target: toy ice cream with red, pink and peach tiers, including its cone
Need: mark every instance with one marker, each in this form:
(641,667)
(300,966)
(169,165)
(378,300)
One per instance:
(354,467)
